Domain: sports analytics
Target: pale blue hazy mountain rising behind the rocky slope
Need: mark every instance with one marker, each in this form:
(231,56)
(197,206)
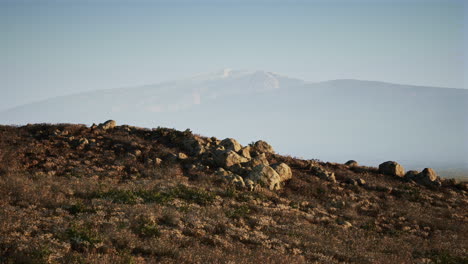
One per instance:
(334,120)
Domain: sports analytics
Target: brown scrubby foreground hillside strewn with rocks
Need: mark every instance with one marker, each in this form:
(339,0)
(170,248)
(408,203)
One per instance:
(122,194)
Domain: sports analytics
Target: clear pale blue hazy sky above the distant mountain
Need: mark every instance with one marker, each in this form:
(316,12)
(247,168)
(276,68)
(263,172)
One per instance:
(51,48)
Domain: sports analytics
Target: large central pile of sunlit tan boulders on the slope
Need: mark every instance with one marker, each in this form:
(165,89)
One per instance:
(242,166)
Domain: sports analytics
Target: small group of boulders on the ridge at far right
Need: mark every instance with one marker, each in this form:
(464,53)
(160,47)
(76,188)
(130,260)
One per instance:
(426,177)
